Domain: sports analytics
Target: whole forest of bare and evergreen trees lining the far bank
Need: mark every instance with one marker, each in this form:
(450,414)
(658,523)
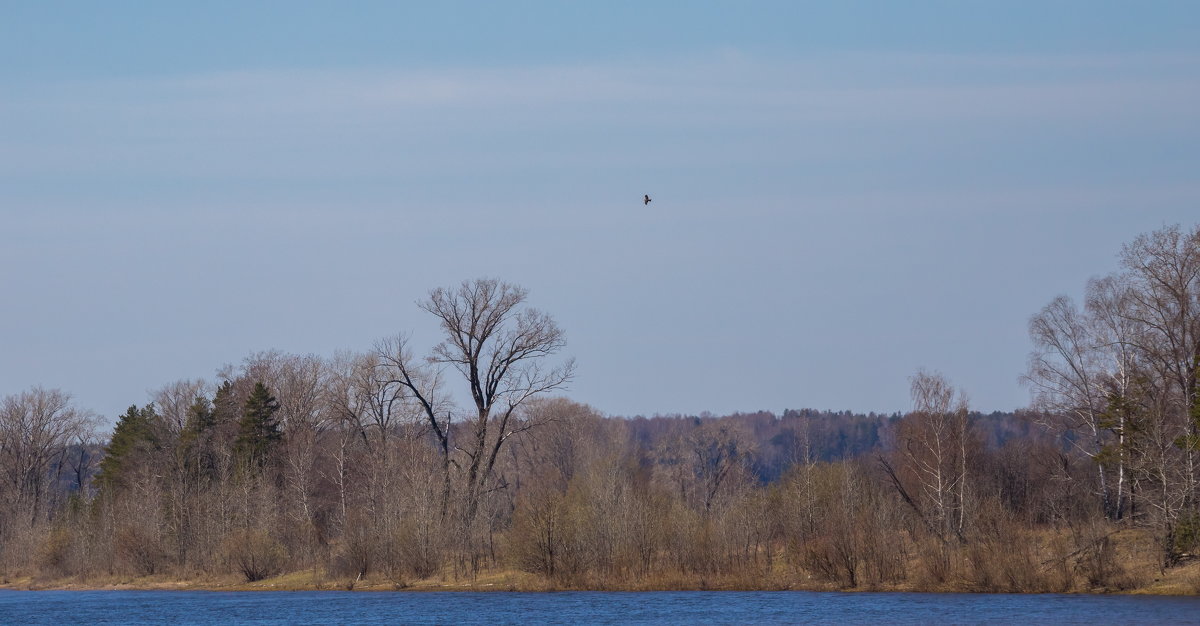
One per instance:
(394,469)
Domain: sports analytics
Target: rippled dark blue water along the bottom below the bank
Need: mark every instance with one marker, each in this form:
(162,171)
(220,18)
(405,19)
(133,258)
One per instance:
(585,607)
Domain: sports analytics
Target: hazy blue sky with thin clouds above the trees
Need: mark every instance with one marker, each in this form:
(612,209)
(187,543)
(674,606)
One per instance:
(844,194)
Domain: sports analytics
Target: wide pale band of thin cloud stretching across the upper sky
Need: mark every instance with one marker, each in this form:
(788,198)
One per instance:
(731,110)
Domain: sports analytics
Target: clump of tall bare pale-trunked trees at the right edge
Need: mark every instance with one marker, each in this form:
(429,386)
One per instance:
(1124,374)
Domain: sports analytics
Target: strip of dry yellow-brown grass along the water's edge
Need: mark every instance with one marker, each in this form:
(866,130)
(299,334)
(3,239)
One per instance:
(1129,563)
